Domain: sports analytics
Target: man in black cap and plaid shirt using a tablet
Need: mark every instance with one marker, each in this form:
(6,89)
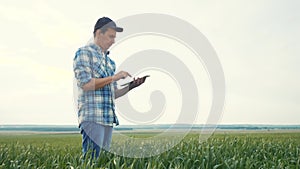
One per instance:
(96,80)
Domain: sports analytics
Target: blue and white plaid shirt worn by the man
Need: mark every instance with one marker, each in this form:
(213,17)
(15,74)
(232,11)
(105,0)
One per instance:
(95,105)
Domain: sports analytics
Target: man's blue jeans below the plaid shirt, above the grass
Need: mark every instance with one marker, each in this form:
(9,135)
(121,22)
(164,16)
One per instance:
(95,137)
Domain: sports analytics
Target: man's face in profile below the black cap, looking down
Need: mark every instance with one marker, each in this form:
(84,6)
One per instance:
(107,39)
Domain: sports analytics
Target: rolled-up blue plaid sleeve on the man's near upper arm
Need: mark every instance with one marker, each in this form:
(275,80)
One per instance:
(82,67)
